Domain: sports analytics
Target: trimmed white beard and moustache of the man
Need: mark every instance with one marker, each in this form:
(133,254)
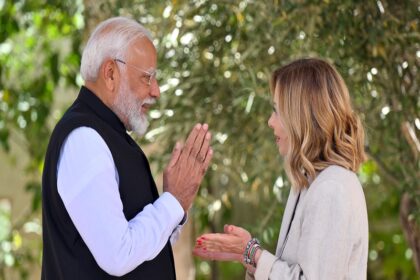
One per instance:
(128,105)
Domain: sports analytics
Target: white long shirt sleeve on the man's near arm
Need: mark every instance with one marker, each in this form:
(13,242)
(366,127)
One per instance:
(87,181)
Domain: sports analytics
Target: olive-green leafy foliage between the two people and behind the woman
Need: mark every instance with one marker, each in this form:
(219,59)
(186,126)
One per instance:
(216,58)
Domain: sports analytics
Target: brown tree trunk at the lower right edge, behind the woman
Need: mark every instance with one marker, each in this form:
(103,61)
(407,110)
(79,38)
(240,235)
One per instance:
(410,228)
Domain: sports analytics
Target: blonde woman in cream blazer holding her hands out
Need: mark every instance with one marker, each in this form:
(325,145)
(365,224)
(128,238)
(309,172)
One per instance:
(324,231)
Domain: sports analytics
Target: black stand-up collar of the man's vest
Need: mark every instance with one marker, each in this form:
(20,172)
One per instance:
(100,109)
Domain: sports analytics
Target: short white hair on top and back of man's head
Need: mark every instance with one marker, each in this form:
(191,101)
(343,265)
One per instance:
(110,39)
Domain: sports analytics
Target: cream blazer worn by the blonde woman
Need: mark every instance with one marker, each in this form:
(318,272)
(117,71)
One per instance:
(328,237)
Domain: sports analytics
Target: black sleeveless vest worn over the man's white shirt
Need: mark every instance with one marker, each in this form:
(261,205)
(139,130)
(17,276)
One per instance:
(65,255)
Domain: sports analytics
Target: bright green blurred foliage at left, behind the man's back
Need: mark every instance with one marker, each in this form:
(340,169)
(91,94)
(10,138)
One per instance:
(39,53)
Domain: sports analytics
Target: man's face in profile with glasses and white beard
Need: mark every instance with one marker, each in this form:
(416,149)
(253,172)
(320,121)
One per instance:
(138,89)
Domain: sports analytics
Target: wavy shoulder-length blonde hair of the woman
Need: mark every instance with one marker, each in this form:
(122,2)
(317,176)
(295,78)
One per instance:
(322,128)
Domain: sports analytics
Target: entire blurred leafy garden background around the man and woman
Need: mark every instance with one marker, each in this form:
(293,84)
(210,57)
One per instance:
(215,60)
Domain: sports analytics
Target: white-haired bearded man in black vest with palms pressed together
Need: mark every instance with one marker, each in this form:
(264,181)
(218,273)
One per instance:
(102,215)
